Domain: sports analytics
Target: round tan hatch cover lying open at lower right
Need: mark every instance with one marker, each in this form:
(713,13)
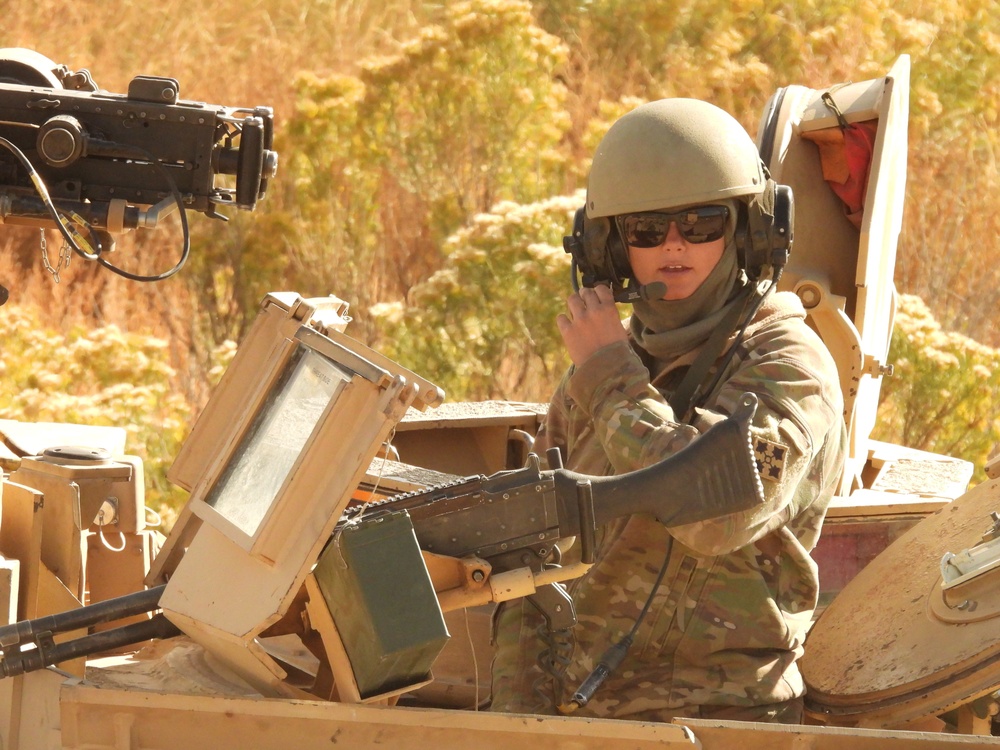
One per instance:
(879,654)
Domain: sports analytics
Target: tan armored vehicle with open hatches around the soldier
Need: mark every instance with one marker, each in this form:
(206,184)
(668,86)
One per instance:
(347,533)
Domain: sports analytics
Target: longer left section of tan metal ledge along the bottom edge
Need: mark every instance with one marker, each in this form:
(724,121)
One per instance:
(91,718)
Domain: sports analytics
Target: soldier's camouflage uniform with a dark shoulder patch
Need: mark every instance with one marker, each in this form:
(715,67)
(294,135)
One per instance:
(727,624)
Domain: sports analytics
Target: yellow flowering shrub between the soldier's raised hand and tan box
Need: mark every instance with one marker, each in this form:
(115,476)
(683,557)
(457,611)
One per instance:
(484,325)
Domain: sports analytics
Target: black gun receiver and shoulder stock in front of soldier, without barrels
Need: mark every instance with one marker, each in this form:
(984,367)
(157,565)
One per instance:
(512,520)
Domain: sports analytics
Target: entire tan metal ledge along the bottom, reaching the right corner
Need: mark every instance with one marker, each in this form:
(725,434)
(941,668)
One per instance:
(129,720)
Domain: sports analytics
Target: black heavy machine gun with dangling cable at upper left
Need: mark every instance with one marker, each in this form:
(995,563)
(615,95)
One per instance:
(93,164)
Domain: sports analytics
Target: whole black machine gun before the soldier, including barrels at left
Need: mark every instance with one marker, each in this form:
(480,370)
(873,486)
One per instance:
(503,523)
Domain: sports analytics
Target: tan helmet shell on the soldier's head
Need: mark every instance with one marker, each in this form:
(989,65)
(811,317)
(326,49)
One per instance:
(672,153)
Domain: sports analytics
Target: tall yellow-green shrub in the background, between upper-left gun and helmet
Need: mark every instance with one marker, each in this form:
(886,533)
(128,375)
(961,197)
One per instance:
(385,163)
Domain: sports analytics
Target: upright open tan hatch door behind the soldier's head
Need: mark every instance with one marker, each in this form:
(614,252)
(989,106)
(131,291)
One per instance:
(843,273)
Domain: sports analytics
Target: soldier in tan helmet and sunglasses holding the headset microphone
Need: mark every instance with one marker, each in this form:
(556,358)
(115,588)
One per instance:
(718,610)
